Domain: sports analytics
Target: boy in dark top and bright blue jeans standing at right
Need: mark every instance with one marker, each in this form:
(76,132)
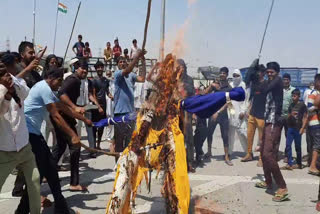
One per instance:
(297,122)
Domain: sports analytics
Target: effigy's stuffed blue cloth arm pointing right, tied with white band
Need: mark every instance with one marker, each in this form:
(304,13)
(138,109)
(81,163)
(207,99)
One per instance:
(206,105)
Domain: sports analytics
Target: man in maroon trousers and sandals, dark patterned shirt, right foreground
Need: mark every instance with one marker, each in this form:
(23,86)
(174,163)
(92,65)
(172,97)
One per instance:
(272,133)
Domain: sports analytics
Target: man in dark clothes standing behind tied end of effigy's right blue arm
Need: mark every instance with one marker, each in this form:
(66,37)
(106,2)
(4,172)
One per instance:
(221,118)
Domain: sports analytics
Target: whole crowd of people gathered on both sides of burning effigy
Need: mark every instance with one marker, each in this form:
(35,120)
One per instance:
(32,106)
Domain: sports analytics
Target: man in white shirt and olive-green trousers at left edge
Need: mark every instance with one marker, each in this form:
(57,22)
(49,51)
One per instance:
(15,150)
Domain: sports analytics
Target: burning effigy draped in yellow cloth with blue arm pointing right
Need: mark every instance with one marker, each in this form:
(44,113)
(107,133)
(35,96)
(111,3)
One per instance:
(158,142)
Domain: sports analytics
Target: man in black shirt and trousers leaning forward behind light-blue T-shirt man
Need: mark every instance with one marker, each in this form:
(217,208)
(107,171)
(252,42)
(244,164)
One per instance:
(69,93)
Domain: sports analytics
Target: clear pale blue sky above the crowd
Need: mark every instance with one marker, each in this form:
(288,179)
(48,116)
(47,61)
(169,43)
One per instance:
(218,32)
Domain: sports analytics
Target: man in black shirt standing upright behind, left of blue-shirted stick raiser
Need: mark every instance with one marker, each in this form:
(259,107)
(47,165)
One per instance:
(101,89)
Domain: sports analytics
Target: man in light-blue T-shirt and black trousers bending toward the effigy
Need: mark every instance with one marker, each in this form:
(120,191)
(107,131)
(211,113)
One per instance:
(41,101)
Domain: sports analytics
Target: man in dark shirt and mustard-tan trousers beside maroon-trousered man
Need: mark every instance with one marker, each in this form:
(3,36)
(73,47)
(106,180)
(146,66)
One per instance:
(256,116)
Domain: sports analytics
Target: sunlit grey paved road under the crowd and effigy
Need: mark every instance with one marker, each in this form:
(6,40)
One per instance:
(231,188)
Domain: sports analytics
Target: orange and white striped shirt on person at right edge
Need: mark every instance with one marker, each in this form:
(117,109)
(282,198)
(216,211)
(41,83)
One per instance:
(314,111)
